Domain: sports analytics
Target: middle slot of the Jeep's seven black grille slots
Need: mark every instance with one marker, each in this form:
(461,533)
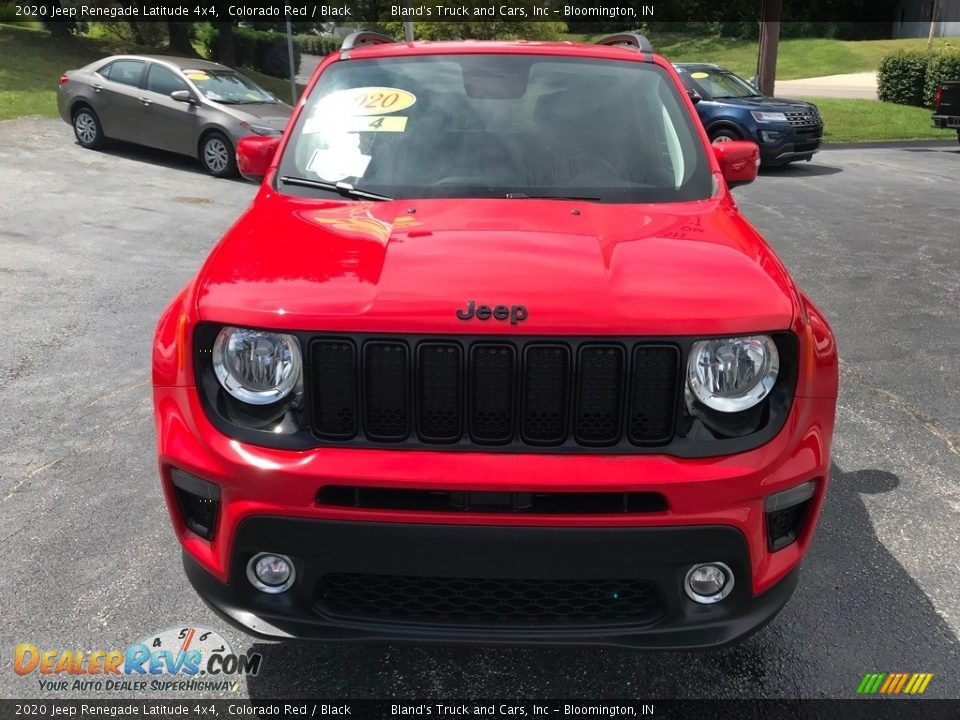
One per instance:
(492,396)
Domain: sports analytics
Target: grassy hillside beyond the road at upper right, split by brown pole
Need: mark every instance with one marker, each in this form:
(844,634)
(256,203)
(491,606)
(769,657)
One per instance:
(799,58)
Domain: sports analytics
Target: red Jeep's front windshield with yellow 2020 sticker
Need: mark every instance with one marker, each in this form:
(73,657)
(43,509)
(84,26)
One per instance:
(496,125)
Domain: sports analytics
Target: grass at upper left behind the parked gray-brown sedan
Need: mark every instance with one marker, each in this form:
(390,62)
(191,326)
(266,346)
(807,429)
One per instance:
(32,63)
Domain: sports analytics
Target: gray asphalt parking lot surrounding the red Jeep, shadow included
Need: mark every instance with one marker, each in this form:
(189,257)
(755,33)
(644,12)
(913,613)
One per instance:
(94,244)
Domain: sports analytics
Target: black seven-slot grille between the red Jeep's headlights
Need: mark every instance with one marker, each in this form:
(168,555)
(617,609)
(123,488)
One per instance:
(466,392)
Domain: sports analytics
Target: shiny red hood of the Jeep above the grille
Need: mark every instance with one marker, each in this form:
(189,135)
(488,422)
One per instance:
(408,266)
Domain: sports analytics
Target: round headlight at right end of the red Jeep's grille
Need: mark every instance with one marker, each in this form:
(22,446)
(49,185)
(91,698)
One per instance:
(733,374)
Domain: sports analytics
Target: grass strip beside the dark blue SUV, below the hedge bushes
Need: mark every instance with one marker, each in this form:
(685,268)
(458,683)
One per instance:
(871,120)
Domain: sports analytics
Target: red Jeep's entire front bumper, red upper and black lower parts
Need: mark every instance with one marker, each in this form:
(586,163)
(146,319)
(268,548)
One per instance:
(714,512)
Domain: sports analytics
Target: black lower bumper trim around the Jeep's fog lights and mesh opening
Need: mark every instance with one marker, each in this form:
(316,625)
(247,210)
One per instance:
(320,547)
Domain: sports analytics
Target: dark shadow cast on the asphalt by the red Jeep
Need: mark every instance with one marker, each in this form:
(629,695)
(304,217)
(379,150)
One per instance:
(857,610)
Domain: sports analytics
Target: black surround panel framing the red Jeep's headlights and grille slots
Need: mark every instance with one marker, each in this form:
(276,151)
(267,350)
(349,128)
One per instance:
(695,434)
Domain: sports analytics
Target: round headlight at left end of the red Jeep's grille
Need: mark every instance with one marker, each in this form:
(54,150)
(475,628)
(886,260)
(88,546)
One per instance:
(255,366)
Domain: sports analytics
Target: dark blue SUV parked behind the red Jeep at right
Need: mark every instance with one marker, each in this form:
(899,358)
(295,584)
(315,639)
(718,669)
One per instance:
(730,108)
